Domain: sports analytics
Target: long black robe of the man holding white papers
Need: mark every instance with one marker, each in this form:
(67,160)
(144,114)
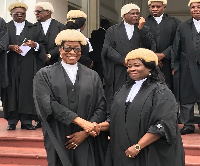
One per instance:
(18,95)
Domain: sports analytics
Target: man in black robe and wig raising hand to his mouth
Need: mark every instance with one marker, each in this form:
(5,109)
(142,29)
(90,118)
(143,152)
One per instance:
(119,40)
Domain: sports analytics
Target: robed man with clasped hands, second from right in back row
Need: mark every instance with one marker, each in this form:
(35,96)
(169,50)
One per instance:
(163,28)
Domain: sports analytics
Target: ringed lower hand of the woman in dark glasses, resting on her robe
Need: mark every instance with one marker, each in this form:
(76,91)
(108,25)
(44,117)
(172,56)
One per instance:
(76,139)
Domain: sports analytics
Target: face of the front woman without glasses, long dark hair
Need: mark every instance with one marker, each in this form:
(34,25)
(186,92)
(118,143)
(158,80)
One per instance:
(136,69)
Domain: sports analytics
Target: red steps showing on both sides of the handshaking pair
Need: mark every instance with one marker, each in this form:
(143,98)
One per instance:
(25,147)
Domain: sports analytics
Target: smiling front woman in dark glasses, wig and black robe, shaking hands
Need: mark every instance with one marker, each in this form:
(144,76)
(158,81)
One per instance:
(69,100)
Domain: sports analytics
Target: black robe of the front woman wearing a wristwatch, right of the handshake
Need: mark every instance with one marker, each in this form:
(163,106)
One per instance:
(153,110)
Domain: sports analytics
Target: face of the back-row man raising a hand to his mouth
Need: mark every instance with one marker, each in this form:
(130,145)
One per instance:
(132,17)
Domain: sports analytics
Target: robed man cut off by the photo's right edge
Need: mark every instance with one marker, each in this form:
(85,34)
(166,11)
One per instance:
(186,65)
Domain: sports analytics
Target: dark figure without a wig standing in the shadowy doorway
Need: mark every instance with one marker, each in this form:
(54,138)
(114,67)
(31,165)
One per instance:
(97,40)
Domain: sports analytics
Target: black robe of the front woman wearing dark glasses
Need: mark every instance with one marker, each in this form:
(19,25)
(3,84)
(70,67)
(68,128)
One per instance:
(51,94)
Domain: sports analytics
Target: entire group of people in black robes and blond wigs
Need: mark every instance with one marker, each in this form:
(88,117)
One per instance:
(69,97)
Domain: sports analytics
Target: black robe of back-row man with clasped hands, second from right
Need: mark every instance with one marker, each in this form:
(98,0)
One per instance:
(164,34)
